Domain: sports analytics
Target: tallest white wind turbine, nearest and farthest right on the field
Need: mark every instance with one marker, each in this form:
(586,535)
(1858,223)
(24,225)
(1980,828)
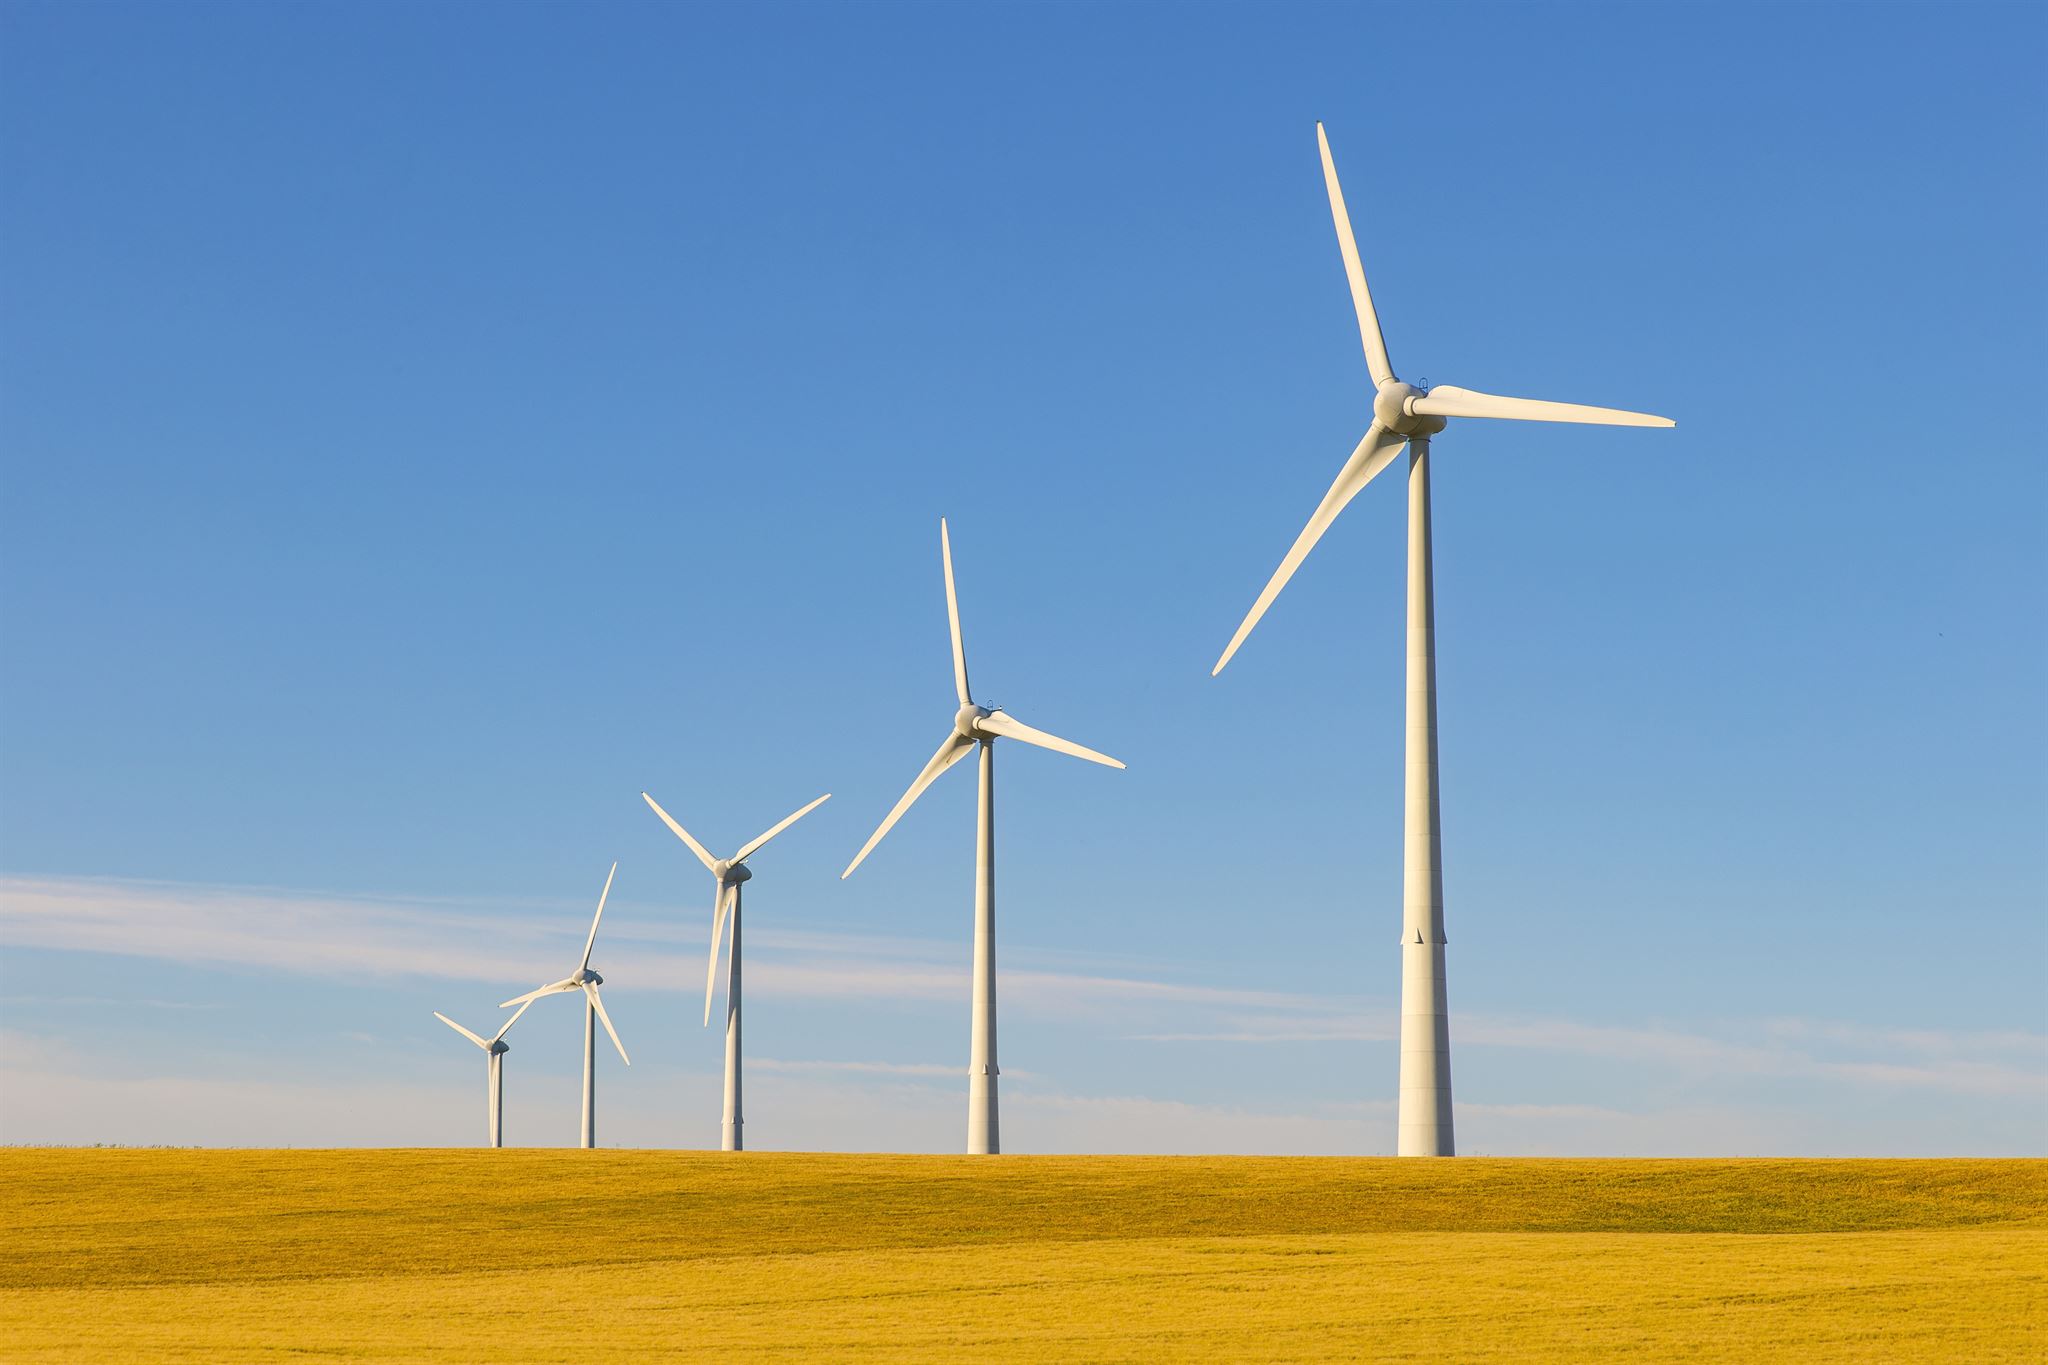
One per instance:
(1404,414)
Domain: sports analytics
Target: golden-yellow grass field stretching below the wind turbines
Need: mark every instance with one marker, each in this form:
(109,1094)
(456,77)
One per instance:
(562,1256)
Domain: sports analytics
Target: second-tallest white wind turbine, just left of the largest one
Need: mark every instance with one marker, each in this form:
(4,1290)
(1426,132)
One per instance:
(976,725)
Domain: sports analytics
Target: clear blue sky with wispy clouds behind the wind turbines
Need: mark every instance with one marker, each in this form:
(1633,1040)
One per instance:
(429,427)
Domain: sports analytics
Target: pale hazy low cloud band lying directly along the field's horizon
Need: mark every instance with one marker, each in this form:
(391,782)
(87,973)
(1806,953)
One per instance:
(87,1098)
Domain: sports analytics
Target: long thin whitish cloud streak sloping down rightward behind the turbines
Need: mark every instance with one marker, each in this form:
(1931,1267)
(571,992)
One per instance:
(386,936)
